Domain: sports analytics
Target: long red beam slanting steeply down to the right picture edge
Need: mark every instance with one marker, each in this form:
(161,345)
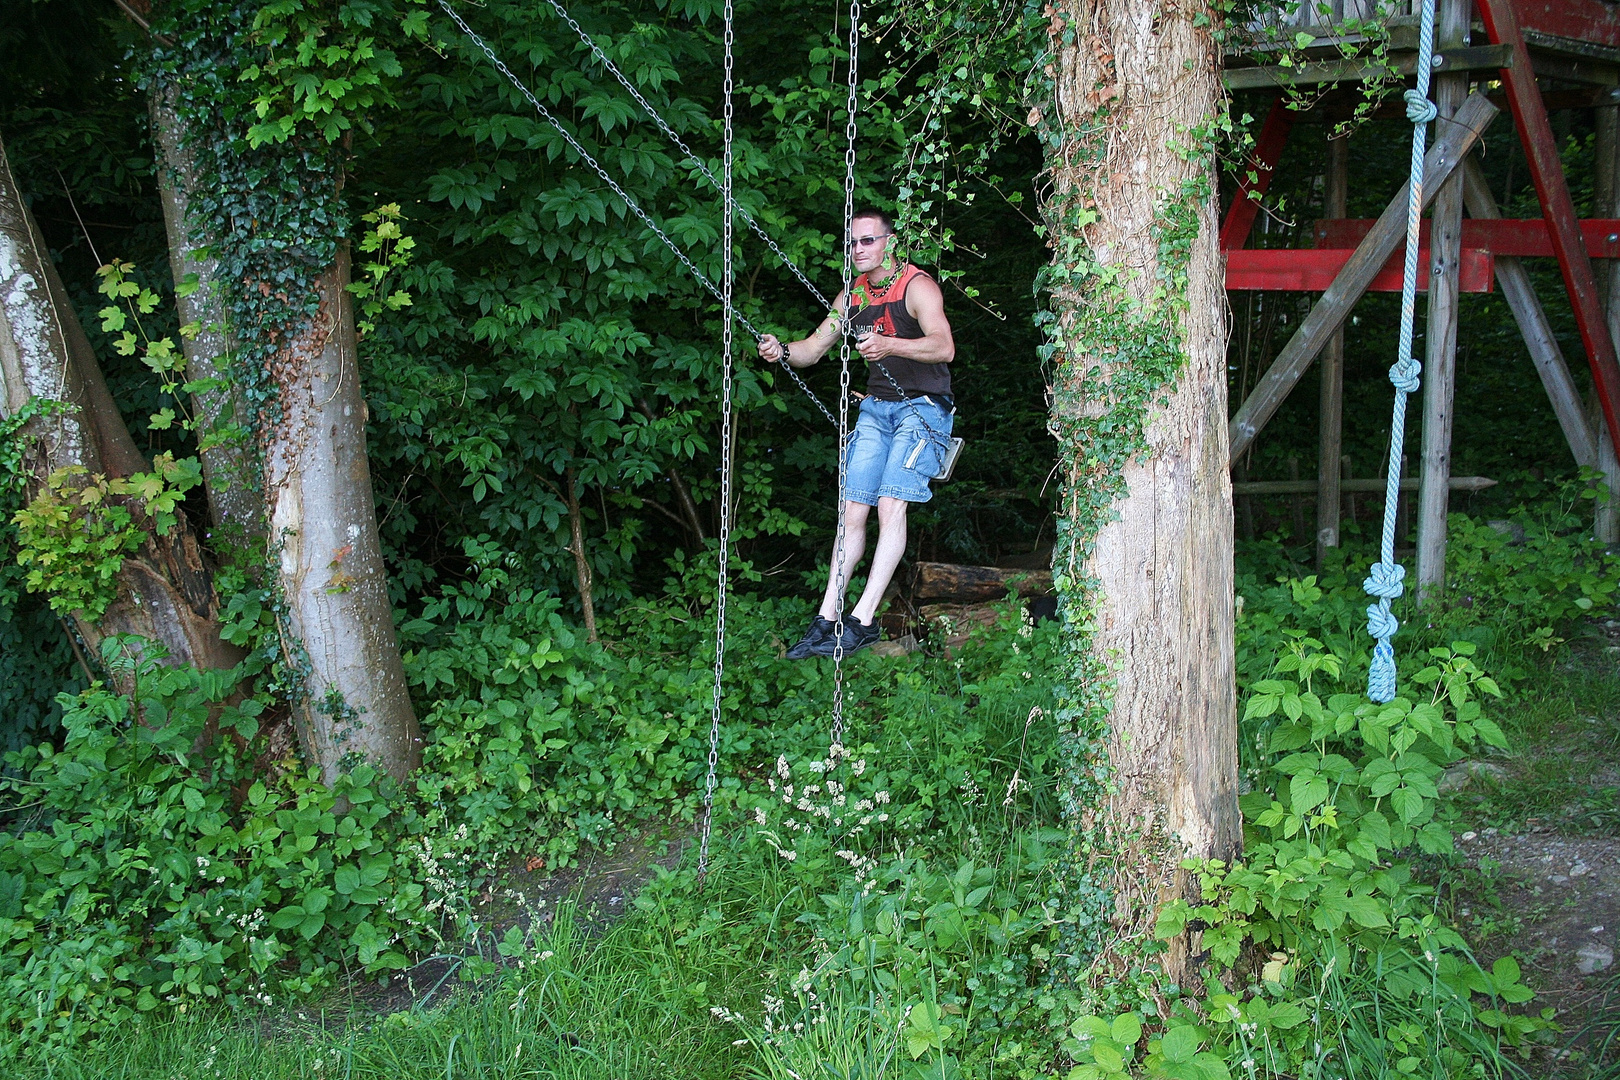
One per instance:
(1546,169)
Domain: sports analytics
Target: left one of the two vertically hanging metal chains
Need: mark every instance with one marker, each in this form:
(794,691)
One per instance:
(728,286)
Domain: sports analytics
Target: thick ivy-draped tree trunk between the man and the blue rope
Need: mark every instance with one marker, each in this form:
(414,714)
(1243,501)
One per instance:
(1140,407)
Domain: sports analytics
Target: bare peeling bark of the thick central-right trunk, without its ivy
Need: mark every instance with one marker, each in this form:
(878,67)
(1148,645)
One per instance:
(1132,82)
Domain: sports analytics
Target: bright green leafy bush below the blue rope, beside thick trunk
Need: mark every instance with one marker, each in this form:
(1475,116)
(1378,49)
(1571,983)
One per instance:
(1342,807)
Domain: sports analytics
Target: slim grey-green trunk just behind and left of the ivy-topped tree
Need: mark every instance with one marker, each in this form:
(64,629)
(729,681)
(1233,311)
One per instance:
(231,469)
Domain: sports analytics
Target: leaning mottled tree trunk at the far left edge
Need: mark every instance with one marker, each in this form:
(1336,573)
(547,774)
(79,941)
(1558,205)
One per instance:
(163,590)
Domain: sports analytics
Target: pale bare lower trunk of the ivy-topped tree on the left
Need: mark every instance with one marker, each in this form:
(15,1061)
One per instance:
(339,624)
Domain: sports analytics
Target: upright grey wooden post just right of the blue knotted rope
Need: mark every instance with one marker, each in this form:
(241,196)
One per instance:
(1439,381)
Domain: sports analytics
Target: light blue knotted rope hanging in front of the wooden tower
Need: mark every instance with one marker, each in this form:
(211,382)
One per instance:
(1386,577)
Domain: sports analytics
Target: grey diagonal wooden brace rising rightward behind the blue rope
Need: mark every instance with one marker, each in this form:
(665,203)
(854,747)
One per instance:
(1451,147)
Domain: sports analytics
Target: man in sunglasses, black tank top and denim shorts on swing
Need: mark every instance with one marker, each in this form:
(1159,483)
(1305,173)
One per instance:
(905,428)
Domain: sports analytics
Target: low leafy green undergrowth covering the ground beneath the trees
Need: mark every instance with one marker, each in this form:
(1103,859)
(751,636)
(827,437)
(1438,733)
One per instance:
(897,890)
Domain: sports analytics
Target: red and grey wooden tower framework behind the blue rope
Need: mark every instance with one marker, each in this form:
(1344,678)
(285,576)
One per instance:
(1493,54)
